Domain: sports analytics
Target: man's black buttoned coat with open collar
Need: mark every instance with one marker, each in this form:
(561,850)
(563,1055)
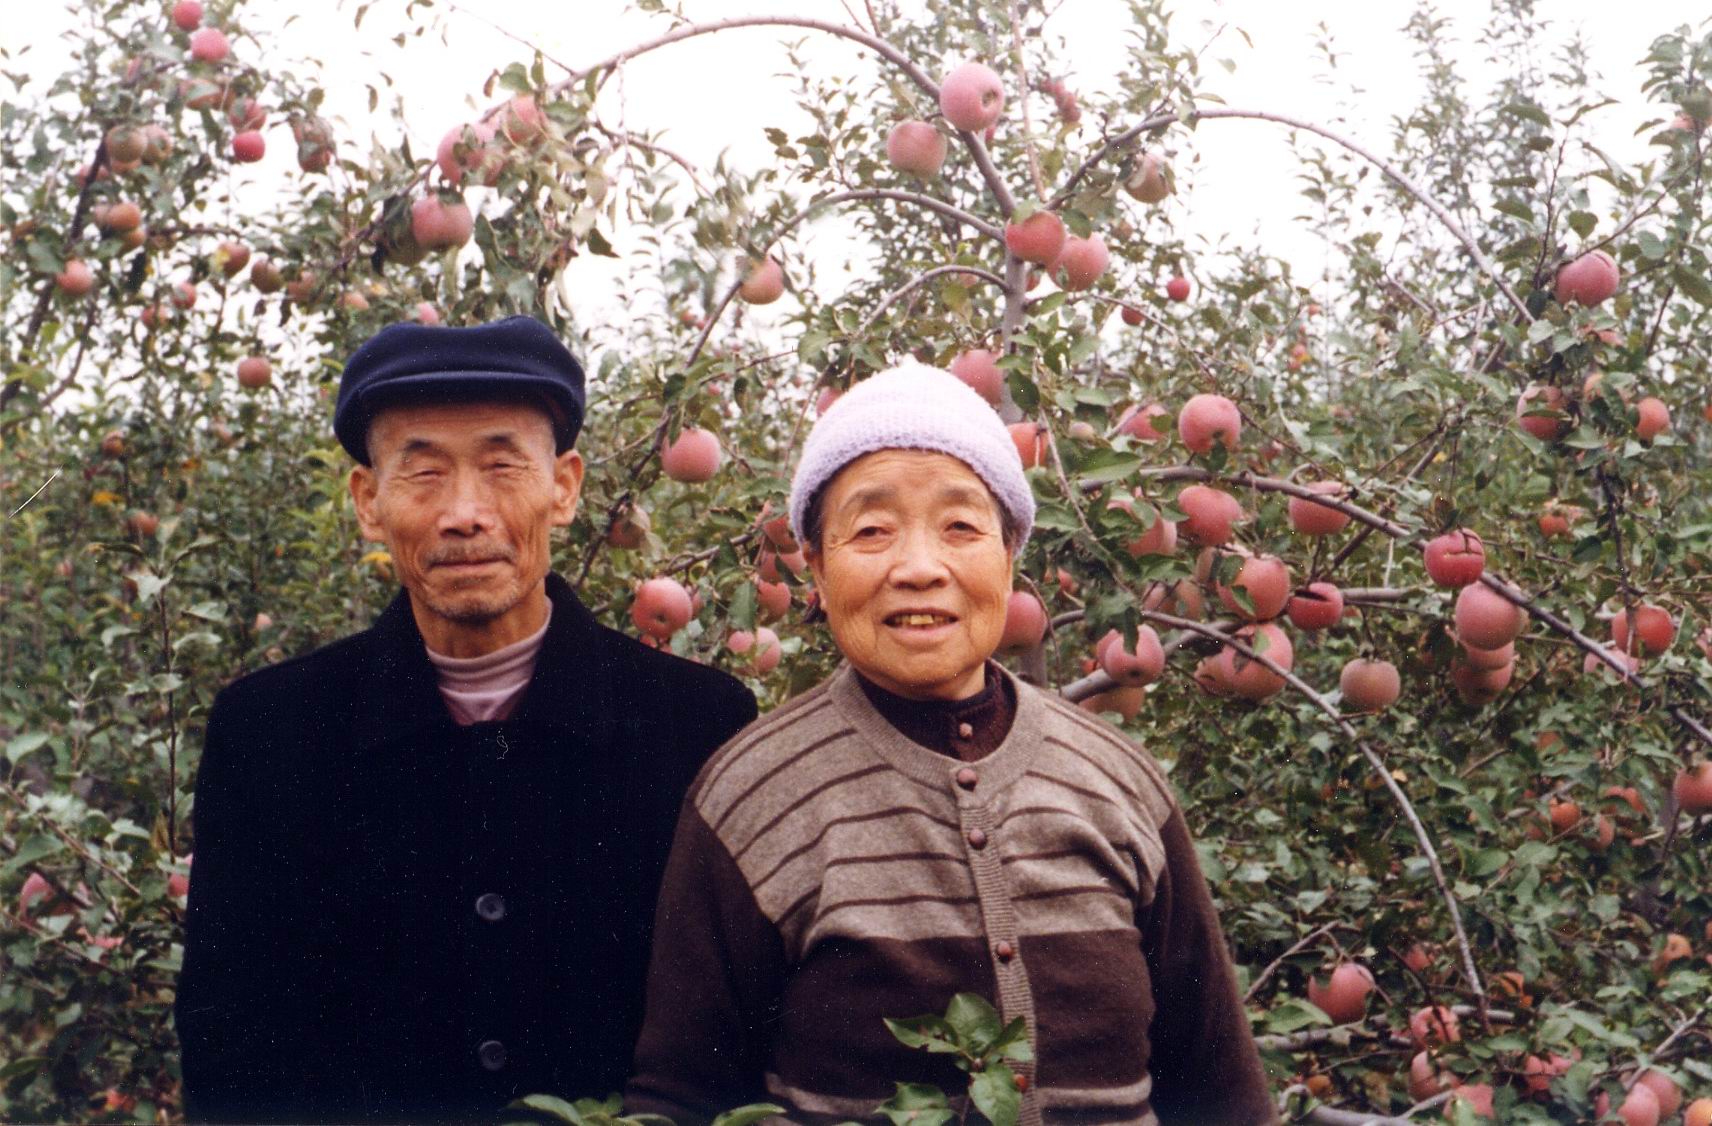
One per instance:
(395,918)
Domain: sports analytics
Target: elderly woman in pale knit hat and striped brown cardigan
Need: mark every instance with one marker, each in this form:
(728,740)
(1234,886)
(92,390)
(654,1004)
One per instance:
(924,824)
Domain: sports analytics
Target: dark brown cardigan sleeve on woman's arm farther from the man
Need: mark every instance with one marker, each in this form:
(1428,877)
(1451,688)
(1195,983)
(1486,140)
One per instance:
(1204,1064)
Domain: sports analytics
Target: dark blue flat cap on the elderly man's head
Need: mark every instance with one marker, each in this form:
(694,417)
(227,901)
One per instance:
(514,359)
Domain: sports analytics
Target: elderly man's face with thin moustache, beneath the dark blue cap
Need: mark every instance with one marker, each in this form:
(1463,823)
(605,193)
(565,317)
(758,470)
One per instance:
(465,497)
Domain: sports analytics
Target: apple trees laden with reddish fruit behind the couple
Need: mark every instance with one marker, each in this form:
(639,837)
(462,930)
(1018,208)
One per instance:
(1511,833)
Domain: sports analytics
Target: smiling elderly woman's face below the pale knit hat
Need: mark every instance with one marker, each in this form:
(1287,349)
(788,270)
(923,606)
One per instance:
(913,572)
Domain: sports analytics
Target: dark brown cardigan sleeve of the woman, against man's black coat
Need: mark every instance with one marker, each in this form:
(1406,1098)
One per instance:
(713,992)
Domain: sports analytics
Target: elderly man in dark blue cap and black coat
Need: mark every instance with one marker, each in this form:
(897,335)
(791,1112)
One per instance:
(429,855)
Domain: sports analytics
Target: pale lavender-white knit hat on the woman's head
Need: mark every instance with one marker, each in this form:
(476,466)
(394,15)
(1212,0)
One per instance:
(915,408)
